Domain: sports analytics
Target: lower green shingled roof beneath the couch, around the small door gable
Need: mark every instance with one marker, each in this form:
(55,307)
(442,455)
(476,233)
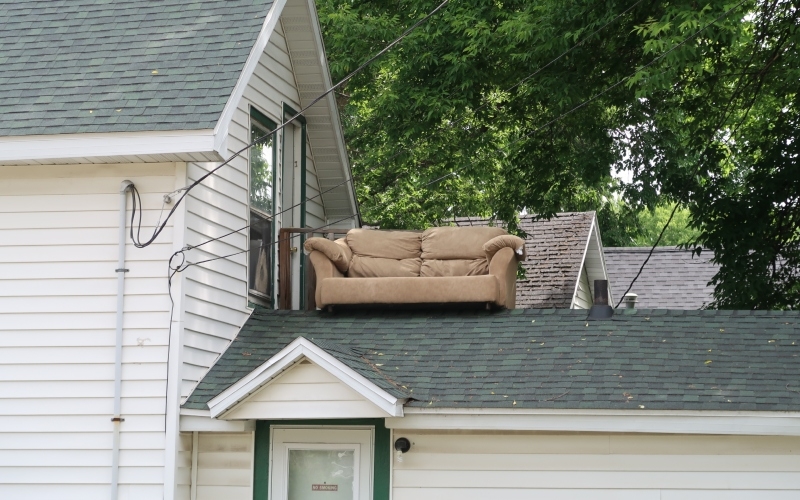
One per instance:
(656,359)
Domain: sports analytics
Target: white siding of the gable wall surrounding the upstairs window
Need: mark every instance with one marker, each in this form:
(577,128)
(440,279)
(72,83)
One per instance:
(217,291)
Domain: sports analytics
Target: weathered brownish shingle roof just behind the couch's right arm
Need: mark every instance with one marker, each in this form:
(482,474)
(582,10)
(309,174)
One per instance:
(555,253)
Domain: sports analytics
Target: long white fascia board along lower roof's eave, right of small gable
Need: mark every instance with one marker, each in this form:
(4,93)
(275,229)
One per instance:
(608,421)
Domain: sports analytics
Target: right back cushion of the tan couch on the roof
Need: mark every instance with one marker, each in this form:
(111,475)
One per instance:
(449,243)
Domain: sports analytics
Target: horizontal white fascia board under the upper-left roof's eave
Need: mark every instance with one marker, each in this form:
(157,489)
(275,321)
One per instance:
(43,147)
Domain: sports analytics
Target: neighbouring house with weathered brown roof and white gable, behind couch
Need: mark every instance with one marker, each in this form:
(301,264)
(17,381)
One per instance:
(565,255)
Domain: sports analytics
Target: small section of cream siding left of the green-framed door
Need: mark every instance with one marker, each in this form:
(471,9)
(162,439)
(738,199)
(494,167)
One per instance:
(225,466)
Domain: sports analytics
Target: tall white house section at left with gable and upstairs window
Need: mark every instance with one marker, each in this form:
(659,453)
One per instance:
(97,352)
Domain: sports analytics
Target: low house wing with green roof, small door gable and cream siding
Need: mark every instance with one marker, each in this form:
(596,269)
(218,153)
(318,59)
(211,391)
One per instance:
(524,403)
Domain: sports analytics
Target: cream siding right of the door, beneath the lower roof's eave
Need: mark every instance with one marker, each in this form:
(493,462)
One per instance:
(460,465)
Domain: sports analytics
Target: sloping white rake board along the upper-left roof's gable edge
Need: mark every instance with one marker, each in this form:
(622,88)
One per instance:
(221,129)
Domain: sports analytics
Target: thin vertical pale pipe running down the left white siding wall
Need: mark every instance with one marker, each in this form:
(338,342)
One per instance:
(117,418)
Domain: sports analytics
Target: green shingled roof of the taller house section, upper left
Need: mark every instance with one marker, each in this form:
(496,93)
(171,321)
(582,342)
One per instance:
(76,66)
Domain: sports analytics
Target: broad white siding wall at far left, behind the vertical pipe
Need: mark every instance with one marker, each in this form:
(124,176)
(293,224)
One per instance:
(58,255)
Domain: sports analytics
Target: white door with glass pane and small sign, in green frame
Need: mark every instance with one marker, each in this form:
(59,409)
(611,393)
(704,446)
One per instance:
(321,463)
